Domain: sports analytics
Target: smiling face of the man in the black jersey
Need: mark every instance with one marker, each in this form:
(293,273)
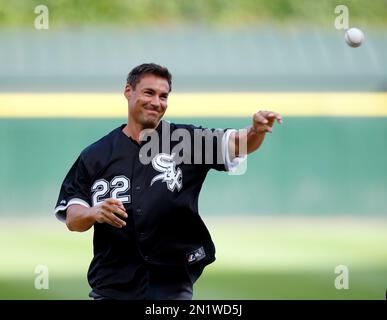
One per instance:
(148,101)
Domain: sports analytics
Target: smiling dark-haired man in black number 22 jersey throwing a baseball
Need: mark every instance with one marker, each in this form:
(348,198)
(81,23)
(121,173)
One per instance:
(138,187)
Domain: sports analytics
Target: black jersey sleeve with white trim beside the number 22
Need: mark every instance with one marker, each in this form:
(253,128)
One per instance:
(75,189)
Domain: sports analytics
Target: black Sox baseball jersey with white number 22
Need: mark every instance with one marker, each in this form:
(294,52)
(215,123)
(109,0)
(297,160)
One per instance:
(158,182)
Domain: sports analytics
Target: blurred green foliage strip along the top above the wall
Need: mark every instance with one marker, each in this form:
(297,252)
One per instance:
(214,12)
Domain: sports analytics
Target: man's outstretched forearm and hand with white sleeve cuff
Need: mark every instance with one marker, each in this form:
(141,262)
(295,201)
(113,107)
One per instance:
(253,136)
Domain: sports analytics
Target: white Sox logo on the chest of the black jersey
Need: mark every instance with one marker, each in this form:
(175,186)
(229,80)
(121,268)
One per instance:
(164,163)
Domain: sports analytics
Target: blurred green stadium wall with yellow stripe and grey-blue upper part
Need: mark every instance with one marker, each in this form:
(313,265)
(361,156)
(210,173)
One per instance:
(61,89)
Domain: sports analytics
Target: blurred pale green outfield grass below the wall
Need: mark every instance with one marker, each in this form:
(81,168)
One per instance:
(257,258)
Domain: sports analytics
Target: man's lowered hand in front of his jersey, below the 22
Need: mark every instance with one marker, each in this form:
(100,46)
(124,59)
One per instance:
(107,211)
